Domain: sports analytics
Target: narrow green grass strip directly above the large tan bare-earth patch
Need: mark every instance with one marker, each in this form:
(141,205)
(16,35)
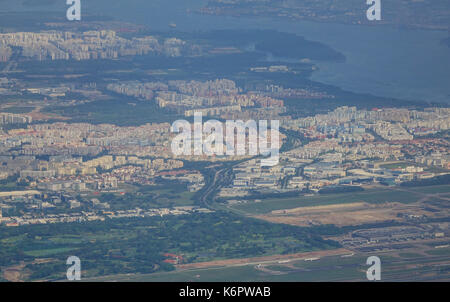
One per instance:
(369,196)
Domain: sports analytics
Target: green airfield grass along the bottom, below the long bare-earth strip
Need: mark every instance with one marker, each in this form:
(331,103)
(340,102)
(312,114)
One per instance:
(354,268)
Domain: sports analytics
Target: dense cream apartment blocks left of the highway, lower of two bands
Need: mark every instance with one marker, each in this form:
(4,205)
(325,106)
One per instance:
(102,173)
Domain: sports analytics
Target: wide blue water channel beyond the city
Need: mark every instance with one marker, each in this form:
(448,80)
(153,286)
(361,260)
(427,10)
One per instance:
(384,61)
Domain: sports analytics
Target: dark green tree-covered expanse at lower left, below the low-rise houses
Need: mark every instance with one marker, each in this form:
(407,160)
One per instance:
(120,246)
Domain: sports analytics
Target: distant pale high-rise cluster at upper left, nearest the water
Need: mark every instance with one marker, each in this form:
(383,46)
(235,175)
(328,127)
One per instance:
(90,45)
